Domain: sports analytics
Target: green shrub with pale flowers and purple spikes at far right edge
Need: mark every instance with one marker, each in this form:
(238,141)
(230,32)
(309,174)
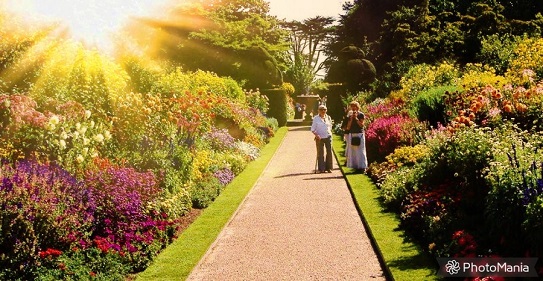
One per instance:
(514,201)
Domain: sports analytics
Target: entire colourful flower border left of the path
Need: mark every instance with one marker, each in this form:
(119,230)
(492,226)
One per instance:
(99,175)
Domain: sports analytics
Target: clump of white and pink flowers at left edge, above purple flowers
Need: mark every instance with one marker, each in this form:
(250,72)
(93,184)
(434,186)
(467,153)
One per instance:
(69,136)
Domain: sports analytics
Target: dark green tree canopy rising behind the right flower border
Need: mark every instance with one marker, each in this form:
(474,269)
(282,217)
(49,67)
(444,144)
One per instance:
(396,34)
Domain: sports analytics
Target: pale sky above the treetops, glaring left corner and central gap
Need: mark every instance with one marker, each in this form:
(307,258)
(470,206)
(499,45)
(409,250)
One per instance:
(94,20)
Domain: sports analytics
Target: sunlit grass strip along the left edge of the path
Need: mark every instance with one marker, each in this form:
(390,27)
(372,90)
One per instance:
(179,258)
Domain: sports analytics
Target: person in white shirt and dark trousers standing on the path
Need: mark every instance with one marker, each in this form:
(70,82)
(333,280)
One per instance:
(322,129)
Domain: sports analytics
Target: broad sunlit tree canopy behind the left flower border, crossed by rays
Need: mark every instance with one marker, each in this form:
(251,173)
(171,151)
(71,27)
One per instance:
(235,38)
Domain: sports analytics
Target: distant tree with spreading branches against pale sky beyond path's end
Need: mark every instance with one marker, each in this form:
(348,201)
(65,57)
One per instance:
(305,58)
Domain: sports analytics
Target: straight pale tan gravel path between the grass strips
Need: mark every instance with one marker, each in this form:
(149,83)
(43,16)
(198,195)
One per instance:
(293,225)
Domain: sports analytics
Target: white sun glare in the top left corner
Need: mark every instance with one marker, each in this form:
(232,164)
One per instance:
(91,21)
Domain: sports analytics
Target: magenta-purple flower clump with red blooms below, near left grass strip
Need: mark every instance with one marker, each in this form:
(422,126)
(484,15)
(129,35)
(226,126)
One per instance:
(123,222)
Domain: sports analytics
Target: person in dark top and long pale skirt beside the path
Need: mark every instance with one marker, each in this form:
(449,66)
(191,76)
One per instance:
(353,127)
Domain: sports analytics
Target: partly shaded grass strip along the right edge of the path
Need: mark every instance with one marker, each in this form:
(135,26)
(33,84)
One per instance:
(404,260)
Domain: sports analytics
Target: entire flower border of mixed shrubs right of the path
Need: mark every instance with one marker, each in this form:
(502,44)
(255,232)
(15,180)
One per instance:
(473,186)
